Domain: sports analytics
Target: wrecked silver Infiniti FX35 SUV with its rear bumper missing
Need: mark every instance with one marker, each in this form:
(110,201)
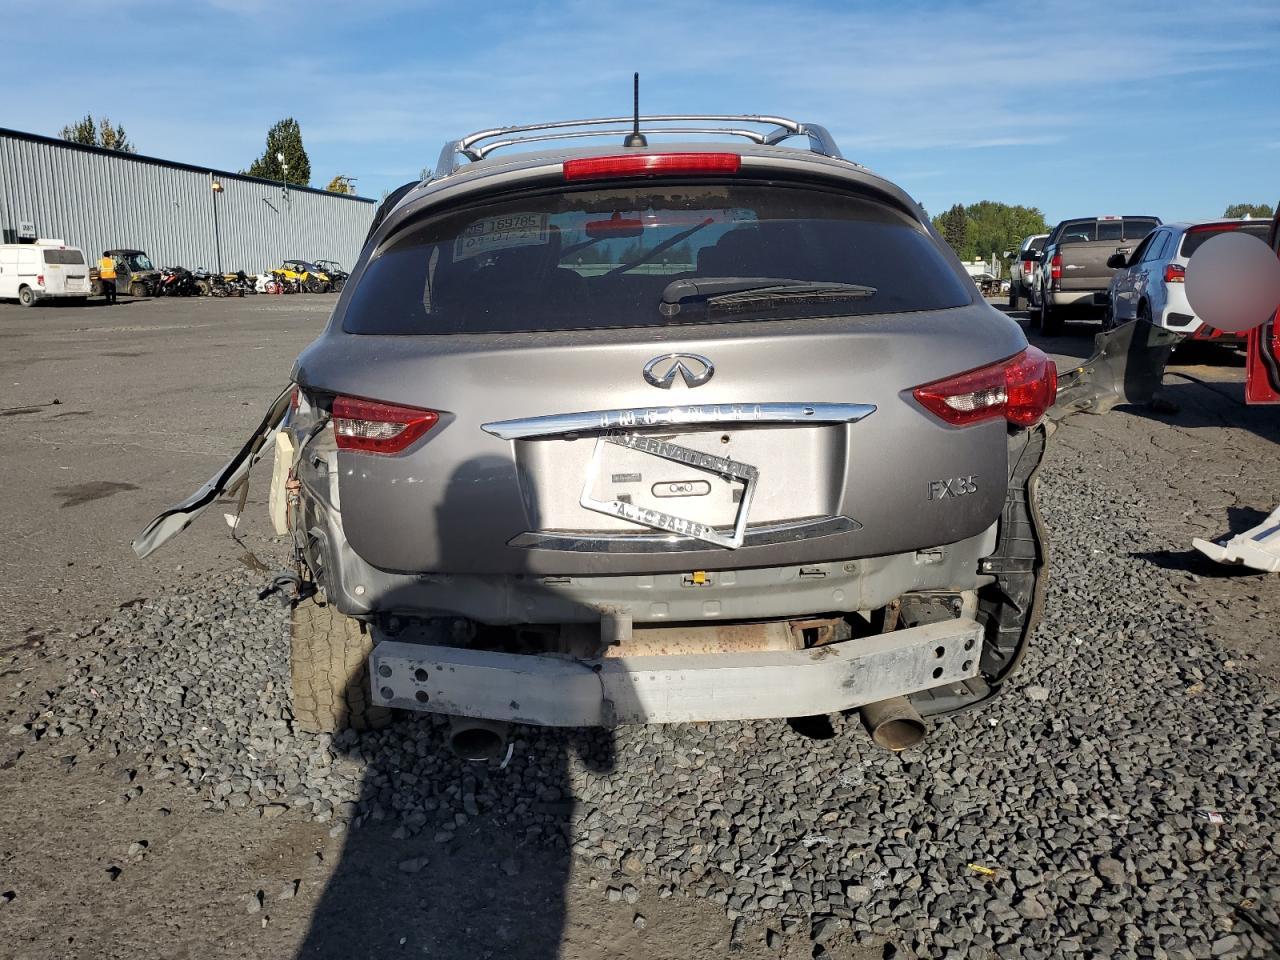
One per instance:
(639,435)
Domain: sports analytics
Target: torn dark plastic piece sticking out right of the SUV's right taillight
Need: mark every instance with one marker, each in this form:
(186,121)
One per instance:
(1127,367)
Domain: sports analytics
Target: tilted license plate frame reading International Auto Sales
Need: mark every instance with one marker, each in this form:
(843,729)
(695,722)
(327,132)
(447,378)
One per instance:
(660,520)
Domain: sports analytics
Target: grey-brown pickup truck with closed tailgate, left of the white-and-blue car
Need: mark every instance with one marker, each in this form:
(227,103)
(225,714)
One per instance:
(1073,267)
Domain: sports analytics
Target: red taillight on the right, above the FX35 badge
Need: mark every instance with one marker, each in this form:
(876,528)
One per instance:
(1018,390)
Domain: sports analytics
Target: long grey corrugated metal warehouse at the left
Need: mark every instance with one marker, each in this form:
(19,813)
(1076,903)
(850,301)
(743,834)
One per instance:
(181,216)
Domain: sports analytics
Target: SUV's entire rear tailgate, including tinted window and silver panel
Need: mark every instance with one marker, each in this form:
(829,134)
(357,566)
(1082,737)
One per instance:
(789,426)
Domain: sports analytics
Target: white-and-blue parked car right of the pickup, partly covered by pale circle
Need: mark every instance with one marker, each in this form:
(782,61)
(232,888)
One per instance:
(1149,285)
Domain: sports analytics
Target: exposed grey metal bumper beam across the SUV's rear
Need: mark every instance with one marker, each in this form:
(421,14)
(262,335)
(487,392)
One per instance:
(563,692)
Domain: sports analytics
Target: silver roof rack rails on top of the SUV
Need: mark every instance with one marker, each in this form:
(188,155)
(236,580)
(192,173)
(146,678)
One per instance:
(474,148)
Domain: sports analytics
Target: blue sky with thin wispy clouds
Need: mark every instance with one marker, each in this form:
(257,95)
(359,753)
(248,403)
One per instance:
(1077,108)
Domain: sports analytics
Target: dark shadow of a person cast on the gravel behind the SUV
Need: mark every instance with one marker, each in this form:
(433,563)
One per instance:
(484,870)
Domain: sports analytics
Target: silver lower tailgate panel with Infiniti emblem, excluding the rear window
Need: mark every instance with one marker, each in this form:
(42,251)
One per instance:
(472,501)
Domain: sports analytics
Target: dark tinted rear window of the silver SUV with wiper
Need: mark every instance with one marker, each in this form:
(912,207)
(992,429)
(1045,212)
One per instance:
(604,258)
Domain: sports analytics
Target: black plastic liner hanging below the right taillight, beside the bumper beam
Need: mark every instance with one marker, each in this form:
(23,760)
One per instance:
(1011,607)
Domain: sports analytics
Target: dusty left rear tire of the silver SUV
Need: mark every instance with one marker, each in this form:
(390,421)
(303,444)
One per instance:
(330,668)
